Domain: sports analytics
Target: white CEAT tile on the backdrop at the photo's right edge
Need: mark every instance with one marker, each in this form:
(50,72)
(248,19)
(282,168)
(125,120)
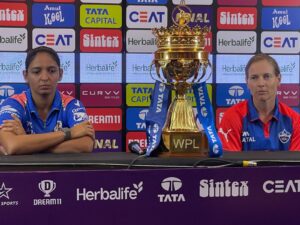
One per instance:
(280,42)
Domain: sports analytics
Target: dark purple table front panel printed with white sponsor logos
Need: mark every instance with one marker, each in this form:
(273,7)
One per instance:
(166,196)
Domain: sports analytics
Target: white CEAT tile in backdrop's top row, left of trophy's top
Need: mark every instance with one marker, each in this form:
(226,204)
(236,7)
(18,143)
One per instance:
(146,16)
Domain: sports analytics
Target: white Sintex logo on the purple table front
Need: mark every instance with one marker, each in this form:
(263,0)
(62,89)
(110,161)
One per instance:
(212,189)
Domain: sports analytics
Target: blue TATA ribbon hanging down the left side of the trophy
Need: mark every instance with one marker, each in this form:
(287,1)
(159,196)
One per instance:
(156,115)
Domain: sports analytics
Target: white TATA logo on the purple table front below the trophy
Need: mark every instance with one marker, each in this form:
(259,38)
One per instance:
(171,185)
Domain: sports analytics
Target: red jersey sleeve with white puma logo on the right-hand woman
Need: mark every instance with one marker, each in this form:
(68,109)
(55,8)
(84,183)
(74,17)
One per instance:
(230,130)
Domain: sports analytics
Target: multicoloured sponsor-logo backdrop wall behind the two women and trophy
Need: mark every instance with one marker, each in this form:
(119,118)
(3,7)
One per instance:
(106,49)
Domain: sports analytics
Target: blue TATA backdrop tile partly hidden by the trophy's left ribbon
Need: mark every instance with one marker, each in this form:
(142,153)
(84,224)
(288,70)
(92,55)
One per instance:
(135,118)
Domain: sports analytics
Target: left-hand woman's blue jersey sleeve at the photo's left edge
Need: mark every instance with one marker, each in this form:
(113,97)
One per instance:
(11,106)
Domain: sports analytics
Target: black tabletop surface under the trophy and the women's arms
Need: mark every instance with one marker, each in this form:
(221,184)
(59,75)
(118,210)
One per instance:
(130,160)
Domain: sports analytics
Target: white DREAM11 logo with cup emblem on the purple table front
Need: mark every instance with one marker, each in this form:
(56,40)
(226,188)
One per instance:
(47,187)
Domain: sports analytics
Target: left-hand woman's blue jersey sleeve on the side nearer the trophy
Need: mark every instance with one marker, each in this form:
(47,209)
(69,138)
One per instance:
(75,113)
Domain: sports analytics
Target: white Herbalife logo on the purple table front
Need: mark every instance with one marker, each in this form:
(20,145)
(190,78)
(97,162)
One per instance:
(118,194)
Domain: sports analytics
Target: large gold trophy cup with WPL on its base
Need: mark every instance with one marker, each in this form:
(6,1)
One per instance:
(182,60)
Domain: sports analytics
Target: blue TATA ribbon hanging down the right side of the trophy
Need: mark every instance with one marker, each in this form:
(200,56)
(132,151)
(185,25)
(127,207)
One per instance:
(206,118)
